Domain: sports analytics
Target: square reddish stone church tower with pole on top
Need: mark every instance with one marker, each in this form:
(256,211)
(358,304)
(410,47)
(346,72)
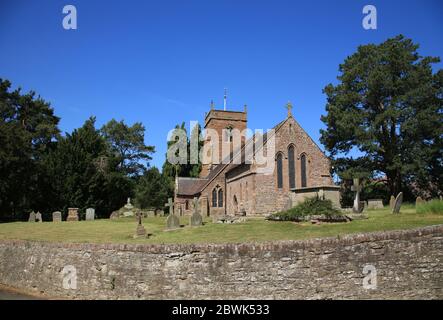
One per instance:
(221,123)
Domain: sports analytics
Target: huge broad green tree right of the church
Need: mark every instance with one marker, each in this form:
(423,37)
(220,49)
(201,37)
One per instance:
(388,106)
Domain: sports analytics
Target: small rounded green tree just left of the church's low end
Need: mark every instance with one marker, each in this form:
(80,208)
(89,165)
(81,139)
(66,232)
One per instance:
(152,189)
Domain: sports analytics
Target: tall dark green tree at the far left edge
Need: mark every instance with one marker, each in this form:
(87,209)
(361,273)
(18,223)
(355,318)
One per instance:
(28,130)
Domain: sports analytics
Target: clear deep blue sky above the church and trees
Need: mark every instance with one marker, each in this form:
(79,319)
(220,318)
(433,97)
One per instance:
(161,62)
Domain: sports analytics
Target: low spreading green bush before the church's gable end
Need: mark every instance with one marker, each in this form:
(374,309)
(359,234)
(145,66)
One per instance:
(310,207)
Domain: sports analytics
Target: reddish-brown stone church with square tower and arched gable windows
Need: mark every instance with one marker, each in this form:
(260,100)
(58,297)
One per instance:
(236,186)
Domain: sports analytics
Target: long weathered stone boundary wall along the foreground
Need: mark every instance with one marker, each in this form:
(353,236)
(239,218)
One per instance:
(409,264)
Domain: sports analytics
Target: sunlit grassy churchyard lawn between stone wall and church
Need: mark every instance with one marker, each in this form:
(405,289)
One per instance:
(254,229)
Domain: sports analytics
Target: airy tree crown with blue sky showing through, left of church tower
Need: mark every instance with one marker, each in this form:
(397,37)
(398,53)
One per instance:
(127,142)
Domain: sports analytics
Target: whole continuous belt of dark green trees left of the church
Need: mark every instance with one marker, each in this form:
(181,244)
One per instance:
(44,171)
